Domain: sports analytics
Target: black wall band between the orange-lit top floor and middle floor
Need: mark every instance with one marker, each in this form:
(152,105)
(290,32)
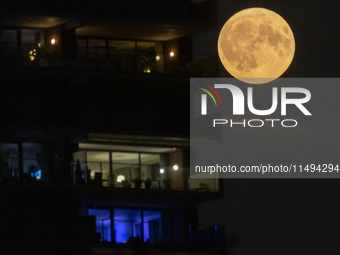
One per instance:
(97,101)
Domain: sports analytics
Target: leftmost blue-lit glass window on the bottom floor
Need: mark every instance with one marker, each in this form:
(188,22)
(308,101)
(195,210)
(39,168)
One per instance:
(103,223)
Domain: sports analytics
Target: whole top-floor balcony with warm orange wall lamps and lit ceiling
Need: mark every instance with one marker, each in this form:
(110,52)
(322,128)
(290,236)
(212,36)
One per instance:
(123,37)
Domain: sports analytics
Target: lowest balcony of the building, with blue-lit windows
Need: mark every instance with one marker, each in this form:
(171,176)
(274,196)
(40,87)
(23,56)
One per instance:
(44,207)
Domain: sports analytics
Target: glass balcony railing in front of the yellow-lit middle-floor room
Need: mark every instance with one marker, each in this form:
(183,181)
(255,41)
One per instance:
(139,176)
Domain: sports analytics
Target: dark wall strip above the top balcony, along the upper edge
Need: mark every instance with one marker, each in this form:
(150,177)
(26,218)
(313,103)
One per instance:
(127,8)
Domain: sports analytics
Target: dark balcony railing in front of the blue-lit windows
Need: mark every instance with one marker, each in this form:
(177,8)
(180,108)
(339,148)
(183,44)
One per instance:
(199,238)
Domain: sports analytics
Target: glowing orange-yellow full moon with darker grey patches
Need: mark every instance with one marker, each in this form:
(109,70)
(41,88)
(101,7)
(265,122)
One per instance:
(256,45)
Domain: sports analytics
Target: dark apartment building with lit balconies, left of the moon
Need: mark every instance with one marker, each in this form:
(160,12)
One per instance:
(94,141)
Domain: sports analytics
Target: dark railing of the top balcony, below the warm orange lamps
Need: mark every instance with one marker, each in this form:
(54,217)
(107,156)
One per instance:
(102,58)
